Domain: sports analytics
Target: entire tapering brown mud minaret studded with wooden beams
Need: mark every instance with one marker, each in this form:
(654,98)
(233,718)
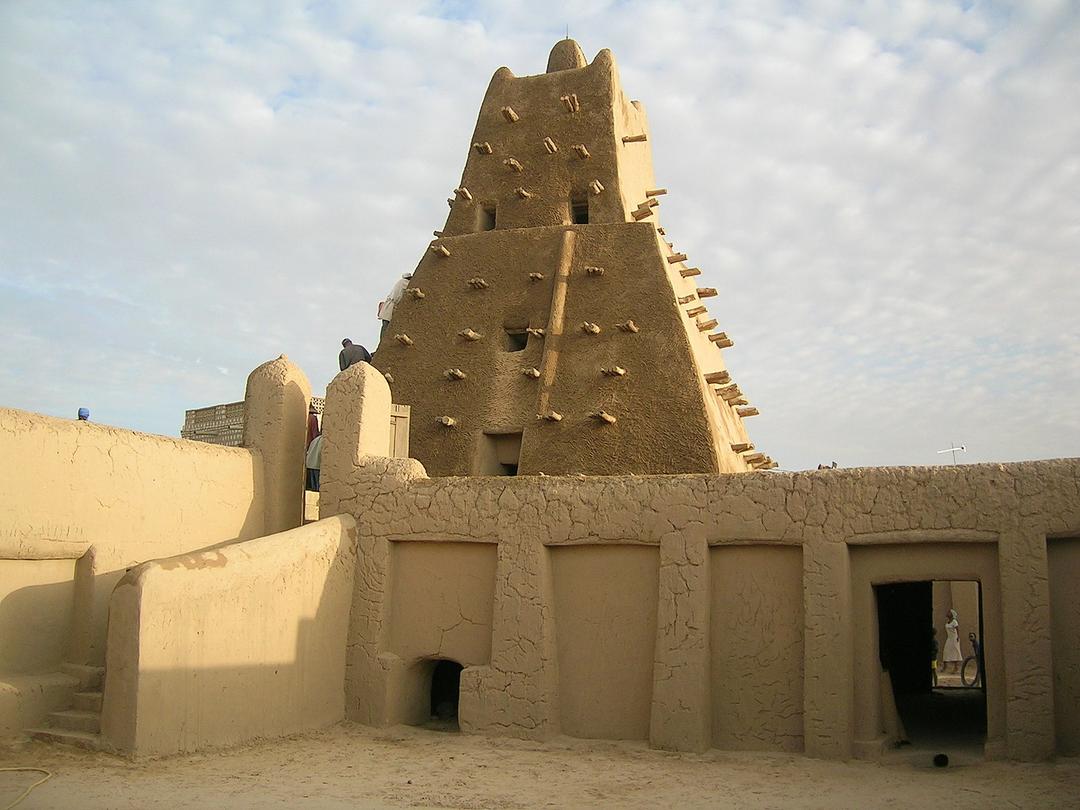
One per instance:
(550,328)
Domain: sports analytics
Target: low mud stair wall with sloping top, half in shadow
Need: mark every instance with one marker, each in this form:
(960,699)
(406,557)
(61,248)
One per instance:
(226,646)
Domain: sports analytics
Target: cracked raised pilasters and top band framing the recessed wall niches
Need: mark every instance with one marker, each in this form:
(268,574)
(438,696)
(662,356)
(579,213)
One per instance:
(1003,512)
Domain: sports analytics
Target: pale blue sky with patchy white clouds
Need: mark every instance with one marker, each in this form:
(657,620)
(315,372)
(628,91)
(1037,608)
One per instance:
(886,195)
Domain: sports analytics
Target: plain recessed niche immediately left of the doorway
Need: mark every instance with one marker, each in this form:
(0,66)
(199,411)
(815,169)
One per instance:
(758,647)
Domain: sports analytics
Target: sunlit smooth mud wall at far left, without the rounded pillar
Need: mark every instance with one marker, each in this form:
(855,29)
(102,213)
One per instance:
(71,485)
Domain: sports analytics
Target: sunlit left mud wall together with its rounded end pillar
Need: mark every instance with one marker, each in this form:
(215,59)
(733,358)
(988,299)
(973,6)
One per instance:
(83,503)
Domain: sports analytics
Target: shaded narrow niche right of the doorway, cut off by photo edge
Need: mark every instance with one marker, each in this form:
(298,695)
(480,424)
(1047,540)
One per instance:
(1064,564)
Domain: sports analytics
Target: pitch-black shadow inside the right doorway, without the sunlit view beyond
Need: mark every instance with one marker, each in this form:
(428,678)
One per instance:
(933,717)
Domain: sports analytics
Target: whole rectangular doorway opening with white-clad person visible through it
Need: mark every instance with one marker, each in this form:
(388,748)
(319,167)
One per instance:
(935,712)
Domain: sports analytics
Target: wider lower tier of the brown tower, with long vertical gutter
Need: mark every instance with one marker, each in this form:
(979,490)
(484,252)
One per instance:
(668,421)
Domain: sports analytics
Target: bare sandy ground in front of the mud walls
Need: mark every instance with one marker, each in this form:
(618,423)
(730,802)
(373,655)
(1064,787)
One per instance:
(352,766)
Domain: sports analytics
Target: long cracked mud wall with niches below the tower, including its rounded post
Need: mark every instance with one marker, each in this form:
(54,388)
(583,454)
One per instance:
(650,607)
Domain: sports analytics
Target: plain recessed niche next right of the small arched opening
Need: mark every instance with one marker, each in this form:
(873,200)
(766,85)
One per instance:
(606,637)
